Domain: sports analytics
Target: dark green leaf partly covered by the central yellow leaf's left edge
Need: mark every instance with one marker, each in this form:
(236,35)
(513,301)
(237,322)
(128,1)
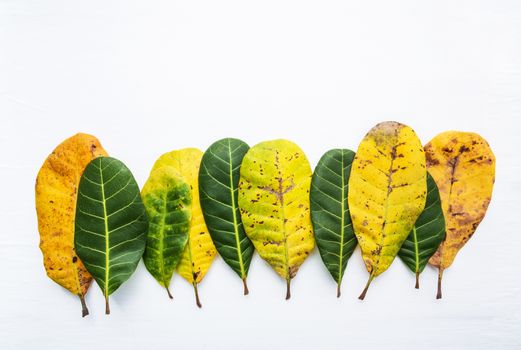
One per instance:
(218,185)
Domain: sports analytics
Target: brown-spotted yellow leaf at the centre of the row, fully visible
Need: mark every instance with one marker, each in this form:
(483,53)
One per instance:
(274,203)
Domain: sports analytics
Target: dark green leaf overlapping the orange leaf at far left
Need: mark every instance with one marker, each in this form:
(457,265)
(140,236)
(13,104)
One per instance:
(111,223)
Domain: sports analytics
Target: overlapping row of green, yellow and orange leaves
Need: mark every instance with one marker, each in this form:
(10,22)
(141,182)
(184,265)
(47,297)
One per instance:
(95,223)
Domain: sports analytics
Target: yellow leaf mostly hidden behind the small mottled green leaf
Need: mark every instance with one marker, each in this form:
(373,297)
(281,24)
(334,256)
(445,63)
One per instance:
(200,250)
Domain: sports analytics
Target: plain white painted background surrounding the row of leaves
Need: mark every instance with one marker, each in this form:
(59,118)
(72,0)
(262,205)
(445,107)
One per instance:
(147,77)
